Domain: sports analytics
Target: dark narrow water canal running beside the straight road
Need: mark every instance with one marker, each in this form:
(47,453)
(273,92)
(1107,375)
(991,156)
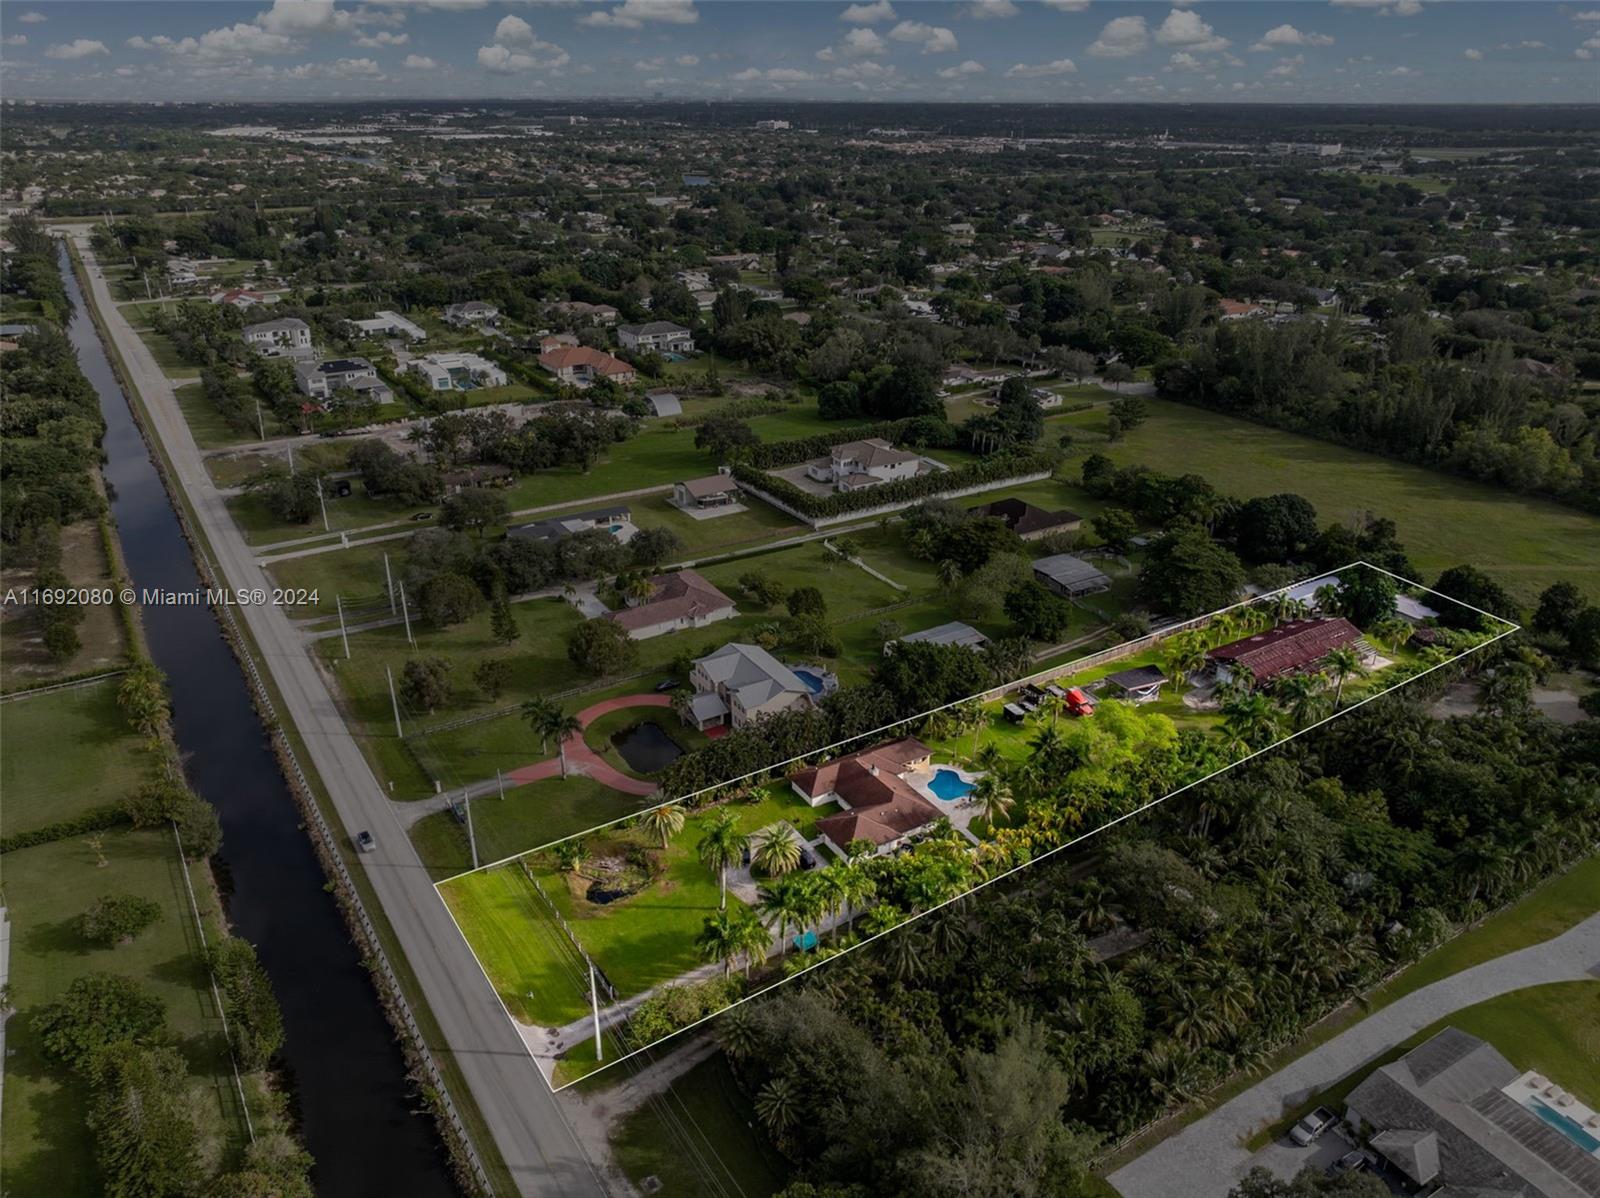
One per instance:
(354,1104)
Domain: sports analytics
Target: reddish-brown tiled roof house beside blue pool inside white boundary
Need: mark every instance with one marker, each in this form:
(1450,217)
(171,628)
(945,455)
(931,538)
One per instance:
(881,805)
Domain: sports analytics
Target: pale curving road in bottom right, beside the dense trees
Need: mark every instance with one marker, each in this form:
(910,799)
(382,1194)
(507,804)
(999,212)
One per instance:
(1207,1157)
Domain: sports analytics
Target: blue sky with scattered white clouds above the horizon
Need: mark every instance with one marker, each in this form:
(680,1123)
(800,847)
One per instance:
(1521,52)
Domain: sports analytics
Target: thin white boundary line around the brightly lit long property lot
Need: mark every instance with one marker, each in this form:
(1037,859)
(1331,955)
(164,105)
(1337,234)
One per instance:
(1172,631)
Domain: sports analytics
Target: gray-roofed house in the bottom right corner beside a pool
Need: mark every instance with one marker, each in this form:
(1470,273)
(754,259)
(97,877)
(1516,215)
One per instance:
(1458,1117)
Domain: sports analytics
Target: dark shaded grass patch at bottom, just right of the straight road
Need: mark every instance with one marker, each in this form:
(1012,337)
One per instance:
(706,1108)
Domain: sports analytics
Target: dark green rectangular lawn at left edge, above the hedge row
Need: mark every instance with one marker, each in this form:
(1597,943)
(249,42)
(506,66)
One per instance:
(68,753)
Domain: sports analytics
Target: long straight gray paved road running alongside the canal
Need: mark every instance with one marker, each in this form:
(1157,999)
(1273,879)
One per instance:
(526,1119)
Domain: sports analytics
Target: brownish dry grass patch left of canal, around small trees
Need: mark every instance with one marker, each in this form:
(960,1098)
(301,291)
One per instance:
(102,642)
